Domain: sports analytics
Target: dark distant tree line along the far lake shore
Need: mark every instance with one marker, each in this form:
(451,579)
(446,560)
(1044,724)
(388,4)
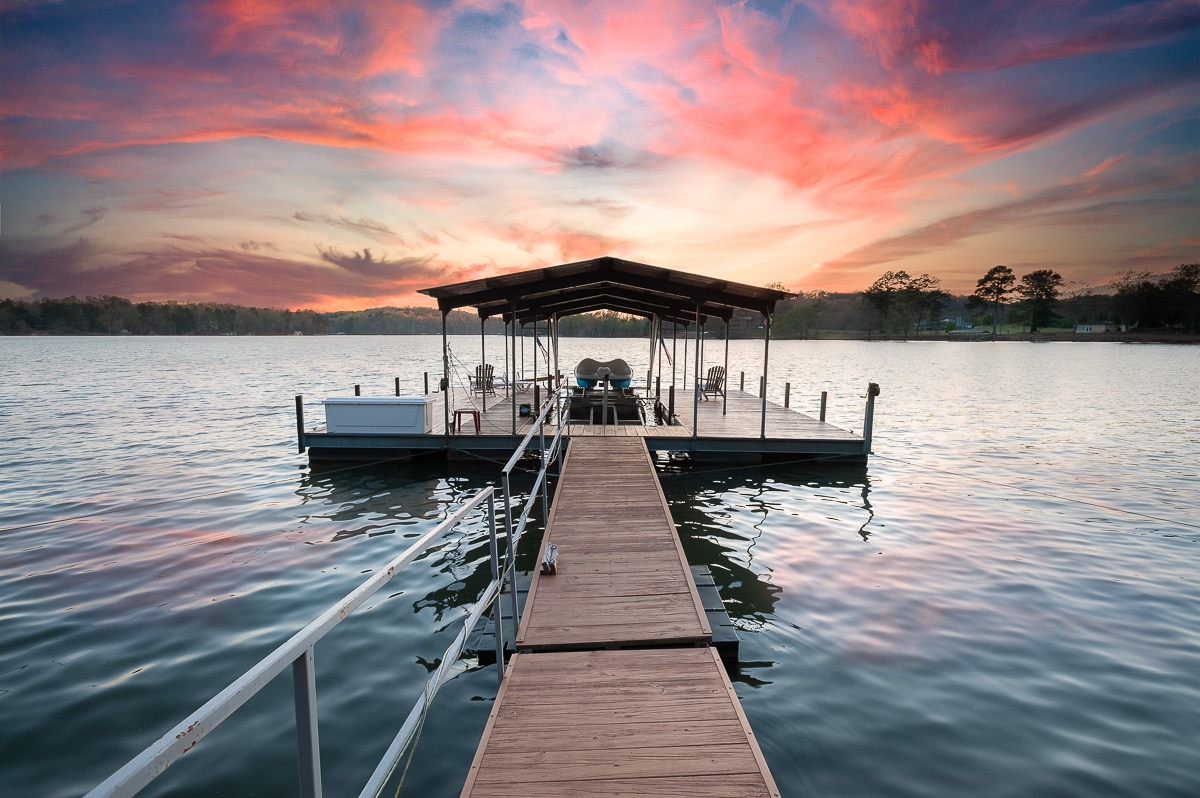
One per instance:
(896,305)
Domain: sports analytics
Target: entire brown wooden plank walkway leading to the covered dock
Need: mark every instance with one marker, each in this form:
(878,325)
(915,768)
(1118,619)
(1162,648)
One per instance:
(615,689)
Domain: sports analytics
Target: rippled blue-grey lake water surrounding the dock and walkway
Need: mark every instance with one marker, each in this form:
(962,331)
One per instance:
(1004,603)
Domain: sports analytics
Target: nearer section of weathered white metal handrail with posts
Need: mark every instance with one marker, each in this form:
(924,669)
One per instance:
(298,651)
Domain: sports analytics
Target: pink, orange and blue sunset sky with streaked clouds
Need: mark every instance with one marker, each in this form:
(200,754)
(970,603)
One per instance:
(343,155)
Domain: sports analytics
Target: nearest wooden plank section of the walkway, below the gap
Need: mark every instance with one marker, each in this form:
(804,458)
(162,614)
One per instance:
(607,724)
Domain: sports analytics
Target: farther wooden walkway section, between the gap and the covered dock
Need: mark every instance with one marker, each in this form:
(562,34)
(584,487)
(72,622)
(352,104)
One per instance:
(622,580)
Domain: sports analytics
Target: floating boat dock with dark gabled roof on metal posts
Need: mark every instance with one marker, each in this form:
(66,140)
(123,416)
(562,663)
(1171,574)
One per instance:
(693,417)
